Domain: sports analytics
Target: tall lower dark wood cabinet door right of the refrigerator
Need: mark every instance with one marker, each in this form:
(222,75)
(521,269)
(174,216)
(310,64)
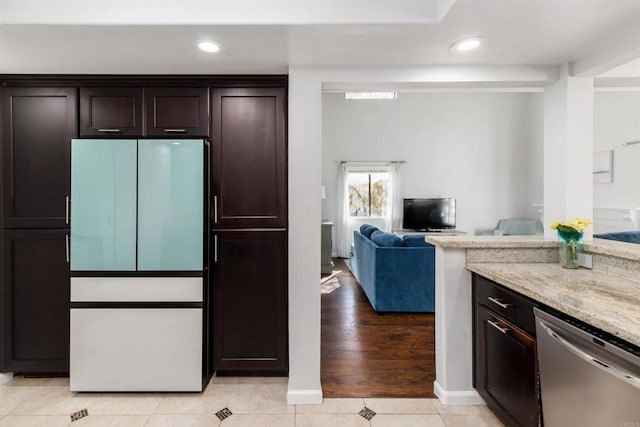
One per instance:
(250,301)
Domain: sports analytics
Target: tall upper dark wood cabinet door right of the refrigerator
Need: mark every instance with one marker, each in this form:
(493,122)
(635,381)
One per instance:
(249,175)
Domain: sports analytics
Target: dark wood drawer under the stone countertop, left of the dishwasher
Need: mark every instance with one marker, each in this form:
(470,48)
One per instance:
(511,305)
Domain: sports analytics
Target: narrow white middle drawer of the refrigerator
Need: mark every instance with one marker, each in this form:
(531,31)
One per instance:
(136,289)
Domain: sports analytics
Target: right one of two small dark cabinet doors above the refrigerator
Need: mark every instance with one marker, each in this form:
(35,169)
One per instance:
(175,111)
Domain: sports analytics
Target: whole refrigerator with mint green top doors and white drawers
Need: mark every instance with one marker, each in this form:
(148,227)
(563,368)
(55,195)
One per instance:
(139,308)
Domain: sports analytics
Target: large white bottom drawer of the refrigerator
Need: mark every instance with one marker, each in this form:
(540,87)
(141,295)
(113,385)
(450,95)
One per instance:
(140,349)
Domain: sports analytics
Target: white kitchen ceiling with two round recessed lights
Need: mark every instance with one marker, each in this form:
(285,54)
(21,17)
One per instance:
(47,36)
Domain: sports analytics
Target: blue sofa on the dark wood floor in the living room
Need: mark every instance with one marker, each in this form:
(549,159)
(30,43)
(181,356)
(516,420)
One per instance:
(397,274)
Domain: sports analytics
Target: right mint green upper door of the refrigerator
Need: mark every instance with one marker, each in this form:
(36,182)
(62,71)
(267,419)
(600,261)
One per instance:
(170,205)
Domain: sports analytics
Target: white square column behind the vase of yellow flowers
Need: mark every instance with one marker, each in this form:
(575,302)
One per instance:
(568,151)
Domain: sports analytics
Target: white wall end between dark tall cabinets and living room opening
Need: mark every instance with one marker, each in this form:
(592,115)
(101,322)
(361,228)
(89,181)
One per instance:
(305,150)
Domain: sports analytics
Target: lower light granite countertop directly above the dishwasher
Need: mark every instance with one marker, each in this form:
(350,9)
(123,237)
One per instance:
(605,301)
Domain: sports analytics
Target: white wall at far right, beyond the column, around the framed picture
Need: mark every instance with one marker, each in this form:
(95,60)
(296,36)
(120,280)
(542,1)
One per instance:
(617,120)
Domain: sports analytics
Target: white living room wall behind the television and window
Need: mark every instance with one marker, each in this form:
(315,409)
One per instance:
(484,149)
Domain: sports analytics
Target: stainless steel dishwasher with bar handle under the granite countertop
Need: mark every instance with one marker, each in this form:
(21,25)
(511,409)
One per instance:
(587,377)
